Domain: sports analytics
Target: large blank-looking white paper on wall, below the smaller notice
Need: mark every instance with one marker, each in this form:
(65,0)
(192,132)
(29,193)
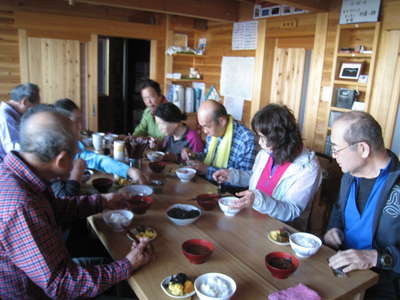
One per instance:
(237,77)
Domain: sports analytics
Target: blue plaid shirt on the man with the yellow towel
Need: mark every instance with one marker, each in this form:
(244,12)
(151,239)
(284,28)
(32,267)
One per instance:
(243,150)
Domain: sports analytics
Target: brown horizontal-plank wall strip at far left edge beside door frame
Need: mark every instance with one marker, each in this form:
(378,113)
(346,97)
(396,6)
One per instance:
(9,57)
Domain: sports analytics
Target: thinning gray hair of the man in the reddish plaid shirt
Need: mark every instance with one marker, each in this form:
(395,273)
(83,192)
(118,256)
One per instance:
(45,133)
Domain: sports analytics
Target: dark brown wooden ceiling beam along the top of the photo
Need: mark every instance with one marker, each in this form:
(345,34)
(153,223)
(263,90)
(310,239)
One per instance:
(221,10)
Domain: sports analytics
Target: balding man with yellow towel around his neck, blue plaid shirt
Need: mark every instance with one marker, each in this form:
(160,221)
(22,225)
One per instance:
(229,144)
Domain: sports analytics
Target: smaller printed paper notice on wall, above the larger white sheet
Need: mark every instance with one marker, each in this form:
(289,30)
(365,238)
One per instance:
(244,35)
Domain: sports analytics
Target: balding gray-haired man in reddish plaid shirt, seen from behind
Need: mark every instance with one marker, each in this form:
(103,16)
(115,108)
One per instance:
(34,262)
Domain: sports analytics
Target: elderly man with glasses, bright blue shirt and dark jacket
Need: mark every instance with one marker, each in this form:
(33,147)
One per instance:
(365,222)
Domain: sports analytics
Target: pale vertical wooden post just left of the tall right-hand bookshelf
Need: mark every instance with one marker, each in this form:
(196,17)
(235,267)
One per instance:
(315,79)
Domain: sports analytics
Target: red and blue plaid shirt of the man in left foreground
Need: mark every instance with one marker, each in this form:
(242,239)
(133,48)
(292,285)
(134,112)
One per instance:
(34,262)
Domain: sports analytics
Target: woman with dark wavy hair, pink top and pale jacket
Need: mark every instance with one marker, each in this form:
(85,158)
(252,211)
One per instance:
(285,175)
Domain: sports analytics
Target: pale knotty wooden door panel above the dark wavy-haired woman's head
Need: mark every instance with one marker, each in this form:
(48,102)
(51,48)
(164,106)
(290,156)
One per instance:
(287,78)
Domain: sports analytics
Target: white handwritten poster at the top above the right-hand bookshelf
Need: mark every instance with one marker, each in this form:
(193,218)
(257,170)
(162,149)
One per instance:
(359,11)
